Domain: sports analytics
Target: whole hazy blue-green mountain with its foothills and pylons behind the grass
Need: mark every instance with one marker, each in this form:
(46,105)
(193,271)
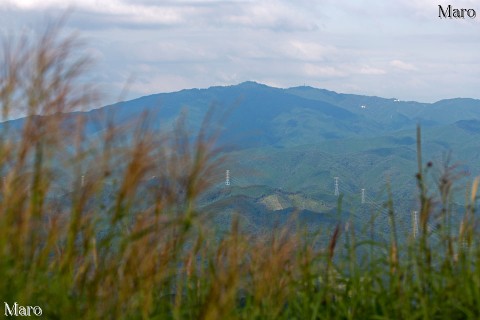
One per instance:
(285,146)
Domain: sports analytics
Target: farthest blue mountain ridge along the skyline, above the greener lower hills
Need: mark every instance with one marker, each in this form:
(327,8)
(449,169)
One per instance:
(260,115)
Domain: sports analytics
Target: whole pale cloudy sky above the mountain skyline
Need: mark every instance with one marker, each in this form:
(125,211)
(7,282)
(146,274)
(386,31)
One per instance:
(386,48)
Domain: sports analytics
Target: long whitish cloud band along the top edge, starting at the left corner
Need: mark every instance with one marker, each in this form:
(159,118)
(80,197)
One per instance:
(269,14)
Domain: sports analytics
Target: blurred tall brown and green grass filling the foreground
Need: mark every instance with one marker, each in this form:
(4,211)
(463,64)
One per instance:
(147,252)
